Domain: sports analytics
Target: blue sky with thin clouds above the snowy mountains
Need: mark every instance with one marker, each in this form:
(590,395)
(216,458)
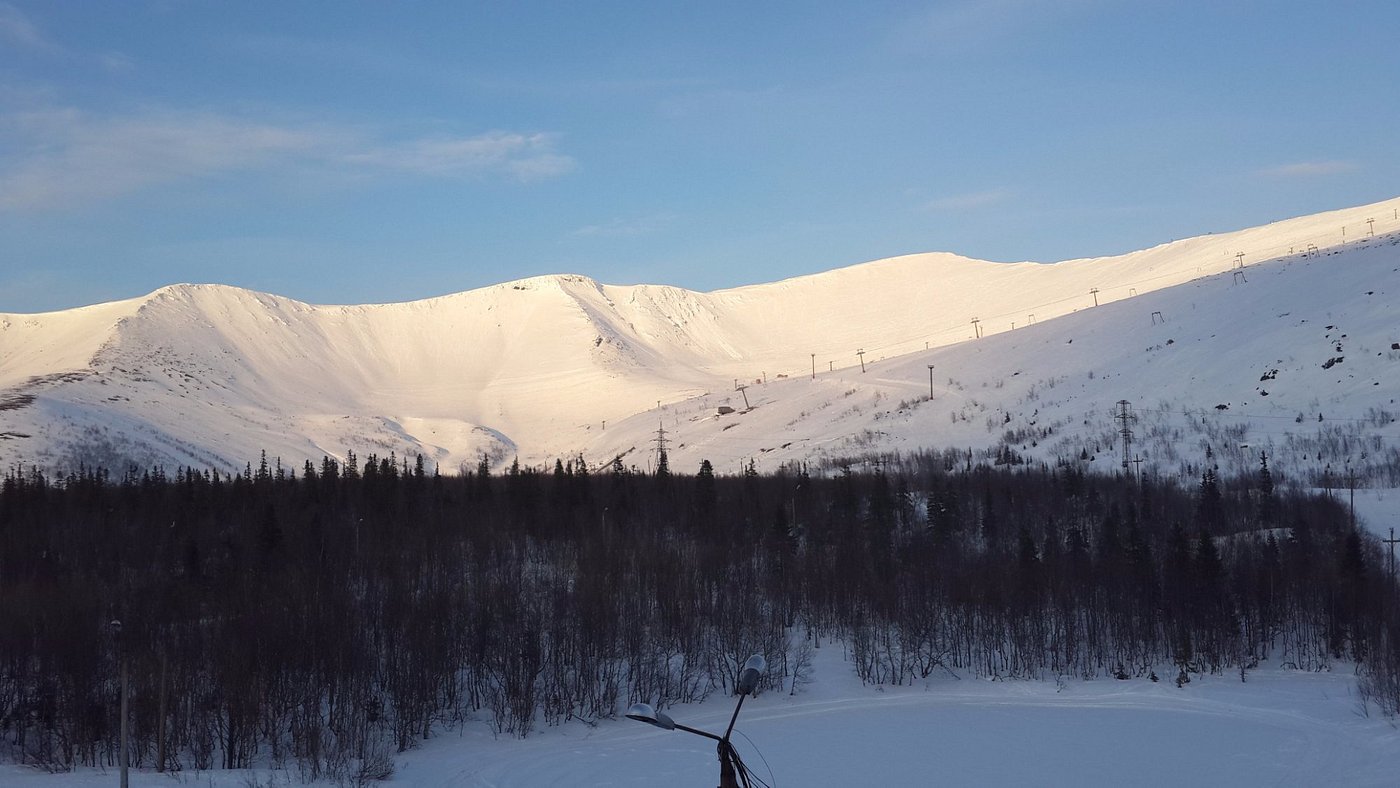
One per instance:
(386,152)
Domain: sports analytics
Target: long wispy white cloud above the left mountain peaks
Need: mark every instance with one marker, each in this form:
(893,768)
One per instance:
(64,157)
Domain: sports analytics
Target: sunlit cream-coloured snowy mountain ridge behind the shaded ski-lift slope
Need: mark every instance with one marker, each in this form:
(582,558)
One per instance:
(541,366)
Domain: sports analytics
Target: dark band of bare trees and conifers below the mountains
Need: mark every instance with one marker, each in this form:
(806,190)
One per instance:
(334,617)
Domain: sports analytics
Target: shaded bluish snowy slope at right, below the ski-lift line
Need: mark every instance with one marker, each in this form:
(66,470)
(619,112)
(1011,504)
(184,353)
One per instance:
(1294,356)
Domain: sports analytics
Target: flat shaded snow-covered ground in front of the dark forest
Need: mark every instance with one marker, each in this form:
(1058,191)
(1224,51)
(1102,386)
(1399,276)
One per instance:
(1279,729)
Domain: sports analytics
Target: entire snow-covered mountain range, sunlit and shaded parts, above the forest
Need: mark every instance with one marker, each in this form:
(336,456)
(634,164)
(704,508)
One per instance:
(1241,341)
